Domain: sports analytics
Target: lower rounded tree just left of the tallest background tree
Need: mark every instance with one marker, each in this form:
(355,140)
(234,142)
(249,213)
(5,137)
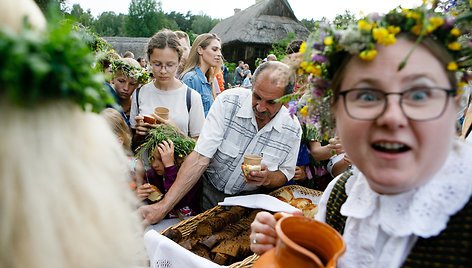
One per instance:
(110,24)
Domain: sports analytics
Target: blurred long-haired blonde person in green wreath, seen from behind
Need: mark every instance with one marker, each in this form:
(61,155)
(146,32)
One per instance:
(63,201)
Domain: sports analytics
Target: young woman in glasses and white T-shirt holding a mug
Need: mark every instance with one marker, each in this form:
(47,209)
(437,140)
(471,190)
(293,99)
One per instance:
(185,105)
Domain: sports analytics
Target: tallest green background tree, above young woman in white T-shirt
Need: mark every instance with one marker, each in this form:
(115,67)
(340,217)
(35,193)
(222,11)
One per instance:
(145,17)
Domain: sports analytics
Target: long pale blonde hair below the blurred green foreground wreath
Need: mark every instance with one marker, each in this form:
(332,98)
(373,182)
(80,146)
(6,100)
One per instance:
(64,199)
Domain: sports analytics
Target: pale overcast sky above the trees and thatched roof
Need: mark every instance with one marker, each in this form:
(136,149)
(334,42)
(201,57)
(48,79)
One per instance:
(303,9)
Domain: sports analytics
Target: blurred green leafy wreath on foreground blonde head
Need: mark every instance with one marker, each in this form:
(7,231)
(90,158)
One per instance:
(49,65)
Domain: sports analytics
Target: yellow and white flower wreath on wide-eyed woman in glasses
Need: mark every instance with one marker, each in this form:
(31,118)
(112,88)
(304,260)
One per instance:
(325,50)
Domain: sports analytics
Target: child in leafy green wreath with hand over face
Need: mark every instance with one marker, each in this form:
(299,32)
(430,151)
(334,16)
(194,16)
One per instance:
(167,148)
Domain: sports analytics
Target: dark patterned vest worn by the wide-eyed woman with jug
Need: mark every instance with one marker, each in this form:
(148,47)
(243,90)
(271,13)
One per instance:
(451,248)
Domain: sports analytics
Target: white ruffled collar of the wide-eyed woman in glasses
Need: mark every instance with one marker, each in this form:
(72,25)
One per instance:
(424,211)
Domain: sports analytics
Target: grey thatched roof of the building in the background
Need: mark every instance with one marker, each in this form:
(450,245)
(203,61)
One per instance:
(265,22)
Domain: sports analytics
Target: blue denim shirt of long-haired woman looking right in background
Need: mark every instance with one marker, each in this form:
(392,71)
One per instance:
(196,80)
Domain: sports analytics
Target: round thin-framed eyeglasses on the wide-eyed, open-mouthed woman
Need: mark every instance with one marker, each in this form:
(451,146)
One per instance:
(419,103)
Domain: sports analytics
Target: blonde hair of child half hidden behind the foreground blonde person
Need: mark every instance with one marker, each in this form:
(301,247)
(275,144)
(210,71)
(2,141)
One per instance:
(119,127)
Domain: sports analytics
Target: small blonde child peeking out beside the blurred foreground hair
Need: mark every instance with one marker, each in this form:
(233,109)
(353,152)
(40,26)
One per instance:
(123,133)
